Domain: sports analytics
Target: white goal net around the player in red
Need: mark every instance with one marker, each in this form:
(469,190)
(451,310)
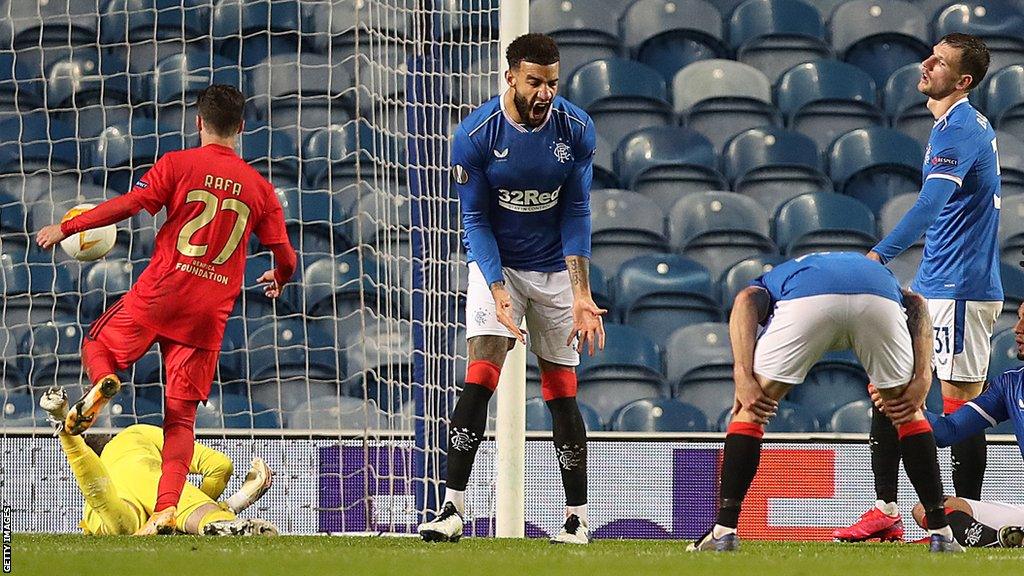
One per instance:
(344,386)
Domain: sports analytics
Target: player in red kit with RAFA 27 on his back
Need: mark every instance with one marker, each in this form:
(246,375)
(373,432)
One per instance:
(215,201)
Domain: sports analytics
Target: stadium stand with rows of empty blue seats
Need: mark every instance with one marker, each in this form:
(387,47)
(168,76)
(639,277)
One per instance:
(790,127)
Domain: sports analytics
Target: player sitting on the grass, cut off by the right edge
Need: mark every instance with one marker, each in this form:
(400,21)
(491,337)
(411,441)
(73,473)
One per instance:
(979,523)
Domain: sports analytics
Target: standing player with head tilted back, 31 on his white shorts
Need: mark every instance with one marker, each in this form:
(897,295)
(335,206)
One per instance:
(959,214)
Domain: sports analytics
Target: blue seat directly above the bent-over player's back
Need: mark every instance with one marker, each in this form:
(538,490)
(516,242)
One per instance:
(825,222)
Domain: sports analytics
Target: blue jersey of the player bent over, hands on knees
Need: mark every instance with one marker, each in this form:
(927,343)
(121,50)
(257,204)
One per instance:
(829,273)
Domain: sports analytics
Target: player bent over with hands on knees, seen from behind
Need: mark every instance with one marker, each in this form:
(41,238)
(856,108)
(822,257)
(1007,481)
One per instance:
(810,306)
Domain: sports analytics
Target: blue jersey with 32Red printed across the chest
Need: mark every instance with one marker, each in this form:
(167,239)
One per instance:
(525,193)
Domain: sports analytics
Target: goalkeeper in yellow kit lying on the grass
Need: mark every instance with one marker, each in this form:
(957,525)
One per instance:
(119,476)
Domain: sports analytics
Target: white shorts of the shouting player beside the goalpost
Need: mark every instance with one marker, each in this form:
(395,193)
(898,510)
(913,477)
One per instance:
(544,298)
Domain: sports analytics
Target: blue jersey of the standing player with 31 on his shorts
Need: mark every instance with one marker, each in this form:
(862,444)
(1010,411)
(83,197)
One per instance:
(962,253)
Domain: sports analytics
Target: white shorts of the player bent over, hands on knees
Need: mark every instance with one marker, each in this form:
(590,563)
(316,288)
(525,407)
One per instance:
(802,331)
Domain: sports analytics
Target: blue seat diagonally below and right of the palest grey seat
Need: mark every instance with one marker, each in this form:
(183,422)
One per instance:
(774,166)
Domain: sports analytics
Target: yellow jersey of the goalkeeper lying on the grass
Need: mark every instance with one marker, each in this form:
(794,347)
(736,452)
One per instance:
(134,463)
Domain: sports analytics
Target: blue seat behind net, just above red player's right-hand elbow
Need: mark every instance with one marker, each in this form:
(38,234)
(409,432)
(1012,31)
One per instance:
(315,222)
